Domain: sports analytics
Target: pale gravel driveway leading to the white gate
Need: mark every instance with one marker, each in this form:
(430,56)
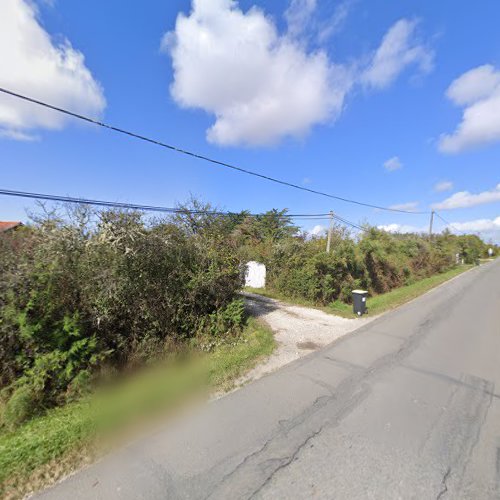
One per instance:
(297,330)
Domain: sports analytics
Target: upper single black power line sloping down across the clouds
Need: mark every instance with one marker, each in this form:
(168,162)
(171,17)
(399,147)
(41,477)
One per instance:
(198,156)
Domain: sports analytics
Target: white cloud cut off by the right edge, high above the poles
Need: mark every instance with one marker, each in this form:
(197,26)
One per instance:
(478,91)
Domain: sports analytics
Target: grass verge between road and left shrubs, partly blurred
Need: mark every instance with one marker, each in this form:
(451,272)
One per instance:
(45,448)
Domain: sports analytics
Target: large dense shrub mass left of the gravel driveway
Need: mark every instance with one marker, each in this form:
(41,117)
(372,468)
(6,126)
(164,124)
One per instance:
(105,290)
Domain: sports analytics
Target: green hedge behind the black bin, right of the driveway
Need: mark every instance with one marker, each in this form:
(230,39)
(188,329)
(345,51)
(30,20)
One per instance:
(377,261)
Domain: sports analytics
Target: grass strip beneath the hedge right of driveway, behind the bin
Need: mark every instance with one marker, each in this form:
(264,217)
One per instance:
(378,303)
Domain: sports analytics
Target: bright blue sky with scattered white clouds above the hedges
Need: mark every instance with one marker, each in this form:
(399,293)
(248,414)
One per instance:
(322,94)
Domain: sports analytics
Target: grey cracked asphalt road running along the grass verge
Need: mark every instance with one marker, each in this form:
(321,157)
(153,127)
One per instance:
(405,407)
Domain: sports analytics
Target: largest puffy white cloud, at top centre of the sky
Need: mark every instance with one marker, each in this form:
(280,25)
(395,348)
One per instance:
(261,86)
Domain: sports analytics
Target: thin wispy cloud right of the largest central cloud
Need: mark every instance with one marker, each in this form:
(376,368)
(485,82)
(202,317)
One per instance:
(399,49)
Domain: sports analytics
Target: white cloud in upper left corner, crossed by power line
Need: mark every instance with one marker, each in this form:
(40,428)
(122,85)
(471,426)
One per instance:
(31,64)
